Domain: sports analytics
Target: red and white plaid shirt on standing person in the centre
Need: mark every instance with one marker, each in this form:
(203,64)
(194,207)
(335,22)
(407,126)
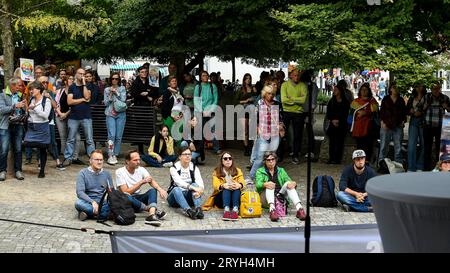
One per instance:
(269,118)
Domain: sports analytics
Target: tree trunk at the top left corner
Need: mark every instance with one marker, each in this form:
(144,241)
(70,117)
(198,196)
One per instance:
(7,41)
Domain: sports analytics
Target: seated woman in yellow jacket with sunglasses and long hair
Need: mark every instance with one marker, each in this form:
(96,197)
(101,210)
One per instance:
(228,182)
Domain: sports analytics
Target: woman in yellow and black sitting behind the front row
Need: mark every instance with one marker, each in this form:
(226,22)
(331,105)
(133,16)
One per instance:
(161,150)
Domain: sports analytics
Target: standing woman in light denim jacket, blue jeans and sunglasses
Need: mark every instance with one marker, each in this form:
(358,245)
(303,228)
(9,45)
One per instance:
(115,120)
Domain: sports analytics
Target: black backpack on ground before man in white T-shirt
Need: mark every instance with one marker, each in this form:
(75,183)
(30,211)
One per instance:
(121,208)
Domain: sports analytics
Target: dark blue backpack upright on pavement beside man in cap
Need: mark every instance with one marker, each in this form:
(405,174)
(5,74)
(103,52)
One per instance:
(323,192)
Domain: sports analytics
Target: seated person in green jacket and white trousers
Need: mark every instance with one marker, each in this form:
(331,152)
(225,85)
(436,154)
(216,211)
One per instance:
(272,180)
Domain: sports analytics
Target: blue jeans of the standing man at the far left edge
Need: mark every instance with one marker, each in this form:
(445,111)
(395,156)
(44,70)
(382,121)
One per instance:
(14,133)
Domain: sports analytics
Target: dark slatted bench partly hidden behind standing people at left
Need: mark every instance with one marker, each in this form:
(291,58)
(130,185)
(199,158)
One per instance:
(140,125)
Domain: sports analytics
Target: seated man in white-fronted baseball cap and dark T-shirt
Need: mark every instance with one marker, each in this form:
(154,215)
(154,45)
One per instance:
(352,186)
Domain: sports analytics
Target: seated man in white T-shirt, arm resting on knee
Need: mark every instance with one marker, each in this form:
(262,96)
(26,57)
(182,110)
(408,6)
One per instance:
(131,178)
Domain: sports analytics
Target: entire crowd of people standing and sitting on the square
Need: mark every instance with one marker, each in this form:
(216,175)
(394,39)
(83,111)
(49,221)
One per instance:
(31,112)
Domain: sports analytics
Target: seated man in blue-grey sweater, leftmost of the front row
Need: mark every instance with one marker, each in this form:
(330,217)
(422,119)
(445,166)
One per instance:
(91,184)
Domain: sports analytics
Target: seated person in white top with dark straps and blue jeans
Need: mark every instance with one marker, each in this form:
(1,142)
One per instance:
(186,188)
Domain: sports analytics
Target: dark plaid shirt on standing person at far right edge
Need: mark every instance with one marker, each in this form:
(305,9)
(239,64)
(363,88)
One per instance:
(435,110)
